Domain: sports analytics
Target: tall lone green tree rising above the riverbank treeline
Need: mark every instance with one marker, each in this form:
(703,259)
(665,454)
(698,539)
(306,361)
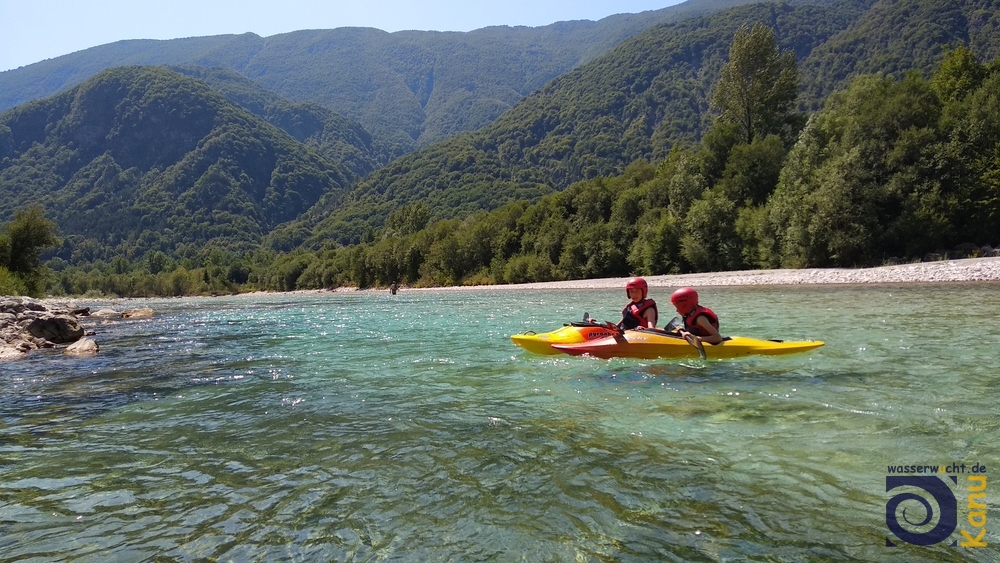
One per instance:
(758,85)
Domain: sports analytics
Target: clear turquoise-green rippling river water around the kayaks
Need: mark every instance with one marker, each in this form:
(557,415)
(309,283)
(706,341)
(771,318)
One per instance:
(408,427)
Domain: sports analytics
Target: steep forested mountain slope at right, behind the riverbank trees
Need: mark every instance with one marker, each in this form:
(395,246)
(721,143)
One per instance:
(639,100)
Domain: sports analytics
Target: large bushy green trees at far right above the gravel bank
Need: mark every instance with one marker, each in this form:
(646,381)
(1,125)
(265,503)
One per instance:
(889,168)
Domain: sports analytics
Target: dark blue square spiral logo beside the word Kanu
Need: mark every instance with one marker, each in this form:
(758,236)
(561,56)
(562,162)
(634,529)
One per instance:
(939,492)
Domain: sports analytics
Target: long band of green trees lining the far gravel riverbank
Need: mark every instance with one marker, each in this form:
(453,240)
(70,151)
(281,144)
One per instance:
(887,169)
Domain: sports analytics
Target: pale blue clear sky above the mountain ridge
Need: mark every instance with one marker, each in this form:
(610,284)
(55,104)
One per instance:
(32,31)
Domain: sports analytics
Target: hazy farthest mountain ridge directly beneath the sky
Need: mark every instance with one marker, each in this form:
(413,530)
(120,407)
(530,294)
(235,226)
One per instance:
(409,88)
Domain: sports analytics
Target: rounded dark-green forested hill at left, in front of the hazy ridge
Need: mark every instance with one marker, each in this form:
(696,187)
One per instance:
(146,158)
